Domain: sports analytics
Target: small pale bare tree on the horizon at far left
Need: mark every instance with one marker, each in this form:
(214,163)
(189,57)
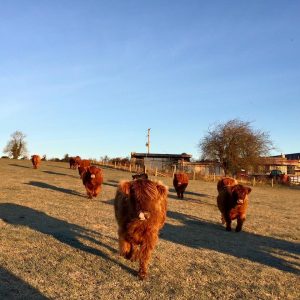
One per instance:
(17,145)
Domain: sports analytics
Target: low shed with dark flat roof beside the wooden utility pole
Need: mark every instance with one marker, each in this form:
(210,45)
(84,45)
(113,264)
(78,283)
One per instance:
(163,162)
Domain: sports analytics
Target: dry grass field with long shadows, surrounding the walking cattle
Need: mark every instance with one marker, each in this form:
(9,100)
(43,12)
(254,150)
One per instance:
(57,244)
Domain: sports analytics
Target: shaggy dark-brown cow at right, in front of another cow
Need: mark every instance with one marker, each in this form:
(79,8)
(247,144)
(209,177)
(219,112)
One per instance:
(233,202)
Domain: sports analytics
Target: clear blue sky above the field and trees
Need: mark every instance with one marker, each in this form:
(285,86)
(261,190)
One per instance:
(89,77)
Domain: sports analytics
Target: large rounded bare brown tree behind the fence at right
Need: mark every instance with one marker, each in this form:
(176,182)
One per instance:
(235,145)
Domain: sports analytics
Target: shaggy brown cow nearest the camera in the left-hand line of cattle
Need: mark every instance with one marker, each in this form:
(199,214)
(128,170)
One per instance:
(92,178)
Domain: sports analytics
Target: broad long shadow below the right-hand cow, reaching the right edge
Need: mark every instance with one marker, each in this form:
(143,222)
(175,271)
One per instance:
(198,233)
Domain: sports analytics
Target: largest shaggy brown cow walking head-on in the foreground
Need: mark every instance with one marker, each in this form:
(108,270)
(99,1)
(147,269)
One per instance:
(140,210)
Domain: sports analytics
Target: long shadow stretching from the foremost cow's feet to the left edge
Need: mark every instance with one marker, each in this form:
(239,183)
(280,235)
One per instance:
(67,233)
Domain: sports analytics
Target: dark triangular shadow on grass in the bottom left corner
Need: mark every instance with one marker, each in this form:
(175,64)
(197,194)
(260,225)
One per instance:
(13,287)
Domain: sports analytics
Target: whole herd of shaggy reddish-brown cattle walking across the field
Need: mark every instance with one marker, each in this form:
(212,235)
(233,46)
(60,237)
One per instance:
(140,206)
